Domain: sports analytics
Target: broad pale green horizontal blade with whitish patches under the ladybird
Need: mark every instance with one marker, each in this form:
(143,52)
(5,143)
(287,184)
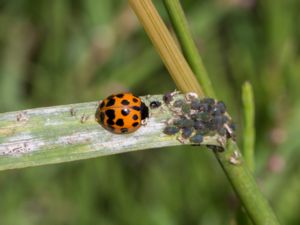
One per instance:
(69,132)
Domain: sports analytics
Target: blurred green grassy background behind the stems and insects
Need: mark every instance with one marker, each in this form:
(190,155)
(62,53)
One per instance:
(63,51)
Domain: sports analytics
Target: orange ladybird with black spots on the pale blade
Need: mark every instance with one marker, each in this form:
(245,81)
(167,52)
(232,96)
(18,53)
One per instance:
(122,113)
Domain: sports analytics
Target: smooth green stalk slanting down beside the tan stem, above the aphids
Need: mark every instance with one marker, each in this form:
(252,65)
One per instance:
(189,48)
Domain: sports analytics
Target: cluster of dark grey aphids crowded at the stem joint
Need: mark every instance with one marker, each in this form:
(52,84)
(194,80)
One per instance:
(196,118)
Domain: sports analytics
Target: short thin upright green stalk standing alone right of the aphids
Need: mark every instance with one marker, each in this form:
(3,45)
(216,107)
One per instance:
(249,130)
